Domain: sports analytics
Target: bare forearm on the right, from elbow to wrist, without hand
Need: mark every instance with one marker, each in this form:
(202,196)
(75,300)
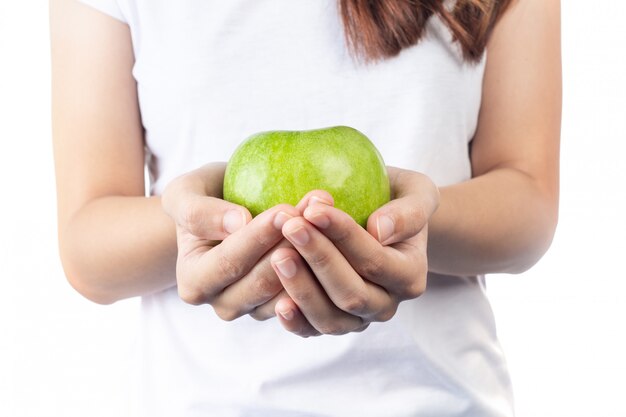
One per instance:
(498,222)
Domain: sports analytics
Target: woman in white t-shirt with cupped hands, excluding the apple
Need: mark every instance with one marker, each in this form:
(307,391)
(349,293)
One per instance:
(465,96)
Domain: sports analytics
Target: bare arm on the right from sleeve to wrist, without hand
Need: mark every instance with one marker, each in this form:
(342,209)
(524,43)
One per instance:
(503,220)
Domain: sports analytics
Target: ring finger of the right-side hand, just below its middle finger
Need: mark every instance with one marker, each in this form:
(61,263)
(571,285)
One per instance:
(309,296)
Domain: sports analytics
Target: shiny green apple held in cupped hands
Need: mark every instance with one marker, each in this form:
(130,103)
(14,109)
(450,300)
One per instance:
(275,167)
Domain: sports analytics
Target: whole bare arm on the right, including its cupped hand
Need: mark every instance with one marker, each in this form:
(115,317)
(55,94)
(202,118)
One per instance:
(502,220)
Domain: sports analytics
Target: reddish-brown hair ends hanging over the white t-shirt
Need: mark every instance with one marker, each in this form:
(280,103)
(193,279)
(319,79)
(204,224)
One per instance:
(378,29)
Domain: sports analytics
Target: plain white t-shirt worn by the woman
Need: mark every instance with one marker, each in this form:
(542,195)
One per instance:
(209,74)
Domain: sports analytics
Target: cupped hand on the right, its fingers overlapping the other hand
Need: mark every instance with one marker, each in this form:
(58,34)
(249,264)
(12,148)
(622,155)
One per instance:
(340,277)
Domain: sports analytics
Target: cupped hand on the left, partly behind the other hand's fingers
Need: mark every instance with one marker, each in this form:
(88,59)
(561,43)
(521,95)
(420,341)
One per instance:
(223,254)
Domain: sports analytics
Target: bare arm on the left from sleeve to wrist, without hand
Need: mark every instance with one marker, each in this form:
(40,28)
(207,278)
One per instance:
(114,242)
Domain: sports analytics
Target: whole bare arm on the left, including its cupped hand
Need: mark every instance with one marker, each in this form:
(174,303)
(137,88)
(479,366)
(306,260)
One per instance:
(114,242)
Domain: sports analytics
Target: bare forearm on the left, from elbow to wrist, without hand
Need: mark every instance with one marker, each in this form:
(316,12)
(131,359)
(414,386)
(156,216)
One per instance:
(119,247)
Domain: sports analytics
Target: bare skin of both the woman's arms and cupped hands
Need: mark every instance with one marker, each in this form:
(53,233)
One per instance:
(116,243)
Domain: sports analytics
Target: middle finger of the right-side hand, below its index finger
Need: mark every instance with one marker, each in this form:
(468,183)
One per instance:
(344,286)
